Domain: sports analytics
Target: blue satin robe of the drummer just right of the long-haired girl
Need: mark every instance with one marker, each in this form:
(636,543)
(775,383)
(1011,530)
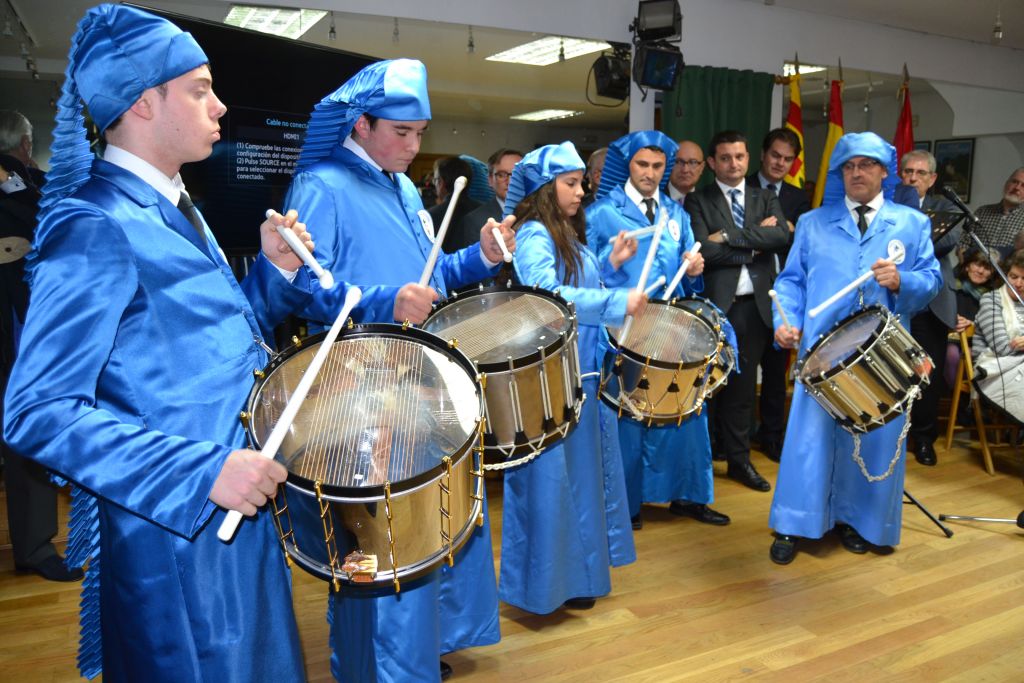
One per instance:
(662,463)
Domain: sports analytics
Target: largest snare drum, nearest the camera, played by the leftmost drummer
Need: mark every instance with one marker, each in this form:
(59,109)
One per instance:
(385,483)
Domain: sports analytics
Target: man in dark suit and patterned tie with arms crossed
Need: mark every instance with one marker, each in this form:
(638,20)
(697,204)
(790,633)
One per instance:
(742,229)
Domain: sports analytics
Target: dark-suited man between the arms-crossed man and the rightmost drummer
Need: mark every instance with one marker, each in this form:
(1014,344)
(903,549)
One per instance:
(779,151)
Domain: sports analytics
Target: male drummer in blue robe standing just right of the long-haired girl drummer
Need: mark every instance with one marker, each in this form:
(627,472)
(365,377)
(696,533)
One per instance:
(663,464)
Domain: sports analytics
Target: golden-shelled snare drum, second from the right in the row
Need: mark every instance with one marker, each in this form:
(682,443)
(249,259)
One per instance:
(663,373)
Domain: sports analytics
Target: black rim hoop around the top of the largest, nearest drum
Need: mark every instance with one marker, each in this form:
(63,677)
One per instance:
(374,330)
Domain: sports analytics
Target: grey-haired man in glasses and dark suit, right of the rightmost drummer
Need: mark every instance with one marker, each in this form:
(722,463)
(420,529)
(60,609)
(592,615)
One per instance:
(931,326)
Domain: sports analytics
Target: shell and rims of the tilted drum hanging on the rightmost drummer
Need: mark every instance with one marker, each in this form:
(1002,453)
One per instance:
(869,389)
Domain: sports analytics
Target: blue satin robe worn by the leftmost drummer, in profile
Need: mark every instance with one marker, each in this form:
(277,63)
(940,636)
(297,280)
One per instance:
(137,358)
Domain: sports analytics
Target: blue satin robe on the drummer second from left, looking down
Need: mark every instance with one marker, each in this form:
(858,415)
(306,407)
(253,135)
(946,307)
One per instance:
(369,230)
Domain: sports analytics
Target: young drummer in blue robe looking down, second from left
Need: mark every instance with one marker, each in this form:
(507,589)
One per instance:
(372,228)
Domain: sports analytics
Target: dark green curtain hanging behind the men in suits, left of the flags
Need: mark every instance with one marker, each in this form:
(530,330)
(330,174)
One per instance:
(709,100)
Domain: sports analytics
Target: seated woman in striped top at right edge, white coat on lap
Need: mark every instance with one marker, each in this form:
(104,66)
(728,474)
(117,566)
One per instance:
(999,343)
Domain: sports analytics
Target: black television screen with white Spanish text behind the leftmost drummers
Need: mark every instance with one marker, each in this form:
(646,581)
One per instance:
(270,87)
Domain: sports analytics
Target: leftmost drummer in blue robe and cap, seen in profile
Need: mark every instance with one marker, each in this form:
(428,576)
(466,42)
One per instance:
(137,358)
